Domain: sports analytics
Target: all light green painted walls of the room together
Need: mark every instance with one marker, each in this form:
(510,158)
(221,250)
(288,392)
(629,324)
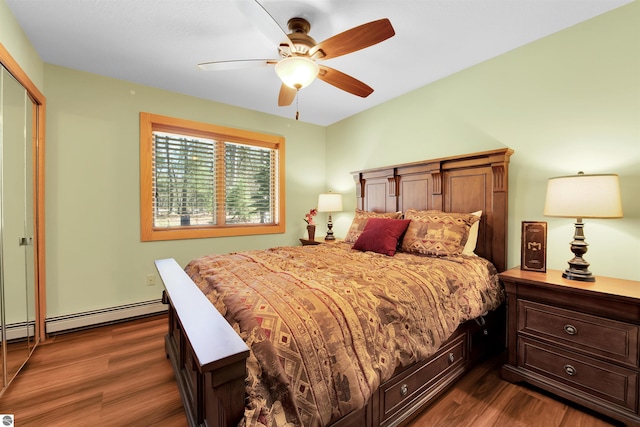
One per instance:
(565,103)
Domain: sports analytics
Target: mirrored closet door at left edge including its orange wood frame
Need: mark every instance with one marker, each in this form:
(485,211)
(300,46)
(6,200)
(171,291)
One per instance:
(20,294)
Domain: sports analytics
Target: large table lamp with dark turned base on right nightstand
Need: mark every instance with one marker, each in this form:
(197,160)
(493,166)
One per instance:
(582,196)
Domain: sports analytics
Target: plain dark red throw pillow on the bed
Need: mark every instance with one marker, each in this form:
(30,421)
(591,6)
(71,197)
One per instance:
(381,235)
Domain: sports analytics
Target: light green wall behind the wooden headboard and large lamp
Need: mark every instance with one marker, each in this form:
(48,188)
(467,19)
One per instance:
(566,103)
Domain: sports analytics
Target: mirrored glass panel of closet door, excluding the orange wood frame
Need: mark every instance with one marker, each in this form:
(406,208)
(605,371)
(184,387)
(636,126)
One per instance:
(17,272)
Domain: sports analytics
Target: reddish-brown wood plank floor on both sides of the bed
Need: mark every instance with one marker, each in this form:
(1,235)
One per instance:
(118,375)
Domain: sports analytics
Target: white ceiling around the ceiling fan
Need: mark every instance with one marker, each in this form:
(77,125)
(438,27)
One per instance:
(159,42)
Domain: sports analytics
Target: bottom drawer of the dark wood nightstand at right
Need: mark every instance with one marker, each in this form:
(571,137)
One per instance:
(600,380)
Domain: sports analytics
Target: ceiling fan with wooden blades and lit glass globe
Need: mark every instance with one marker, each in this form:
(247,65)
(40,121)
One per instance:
(297,66)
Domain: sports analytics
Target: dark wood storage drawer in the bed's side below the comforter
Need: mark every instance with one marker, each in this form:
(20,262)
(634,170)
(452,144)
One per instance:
(401,392)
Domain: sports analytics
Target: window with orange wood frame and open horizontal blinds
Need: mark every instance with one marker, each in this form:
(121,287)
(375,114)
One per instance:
(199,180)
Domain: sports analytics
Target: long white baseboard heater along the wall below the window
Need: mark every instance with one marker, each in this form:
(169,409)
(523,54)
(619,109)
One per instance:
(107,315)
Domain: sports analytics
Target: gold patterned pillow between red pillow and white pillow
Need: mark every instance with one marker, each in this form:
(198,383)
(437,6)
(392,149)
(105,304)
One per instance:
(437,233)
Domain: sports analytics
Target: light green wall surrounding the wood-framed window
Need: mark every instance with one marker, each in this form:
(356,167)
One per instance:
(94,255)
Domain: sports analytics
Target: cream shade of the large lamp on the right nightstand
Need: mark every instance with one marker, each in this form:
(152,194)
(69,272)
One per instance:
(584,196)
